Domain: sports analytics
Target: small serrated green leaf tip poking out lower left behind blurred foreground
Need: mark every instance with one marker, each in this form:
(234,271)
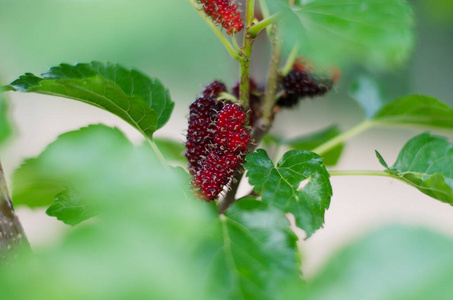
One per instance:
(70,209)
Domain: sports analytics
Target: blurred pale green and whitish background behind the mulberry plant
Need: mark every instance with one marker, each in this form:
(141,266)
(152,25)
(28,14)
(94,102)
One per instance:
(168,40)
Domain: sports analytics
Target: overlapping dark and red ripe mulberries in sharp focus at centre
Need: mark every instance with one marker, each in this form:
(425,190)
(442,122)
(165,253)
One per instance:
(216,141)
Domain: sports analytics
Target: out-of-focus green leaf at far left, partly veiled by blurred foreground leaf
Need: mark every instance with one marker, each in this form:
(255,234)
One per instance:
(31,189)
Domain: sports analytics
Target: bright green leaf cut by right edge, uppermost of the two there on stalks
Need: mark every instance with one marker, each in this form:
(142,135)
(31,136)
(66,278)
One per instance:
(416,110)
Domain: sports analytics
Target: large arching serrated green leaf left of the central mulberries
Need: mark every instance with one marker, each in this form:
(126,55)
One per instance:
(142,102)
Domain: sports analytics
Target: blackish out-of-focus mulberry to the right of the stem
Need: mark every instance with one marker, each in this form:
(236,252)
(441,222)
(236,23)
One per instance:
(301,83)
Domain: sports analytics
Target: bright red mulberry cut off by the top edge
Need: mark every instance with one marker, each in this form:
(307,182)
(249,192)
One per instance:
(225,13)
